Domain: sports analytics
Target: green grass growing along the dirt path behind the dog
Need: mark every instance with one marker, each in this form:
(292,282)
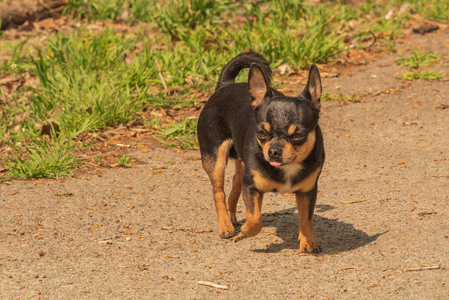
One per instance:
(90,80)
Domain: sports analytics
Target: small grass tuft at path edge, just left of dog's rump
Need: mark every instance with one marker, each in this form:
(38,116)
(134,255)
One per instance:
(181,134)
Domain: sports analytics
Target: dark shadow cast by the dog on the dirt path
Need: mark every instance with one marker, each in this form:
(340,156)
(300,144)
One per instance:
(333,236)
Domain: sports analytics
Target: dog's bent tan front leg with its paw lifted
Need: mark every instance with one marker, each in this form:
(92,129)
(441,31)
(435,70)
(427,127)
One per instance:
(253,224)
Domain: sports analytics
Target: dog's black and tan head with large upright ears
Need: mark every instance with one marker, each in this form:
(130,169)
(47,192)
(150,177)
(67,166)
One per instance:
(286,126)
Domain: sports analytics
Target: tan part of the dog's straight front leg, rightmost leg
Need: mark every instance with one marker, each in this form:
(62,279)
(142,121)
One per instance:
(307,242)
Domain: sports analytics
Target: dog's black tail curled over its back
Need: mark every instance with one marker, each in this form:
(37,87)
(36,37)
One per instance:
(242,61)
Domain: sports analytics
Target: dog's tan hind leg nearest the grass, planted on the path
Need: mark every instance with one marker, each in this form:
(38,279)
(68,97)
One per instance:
(215,168)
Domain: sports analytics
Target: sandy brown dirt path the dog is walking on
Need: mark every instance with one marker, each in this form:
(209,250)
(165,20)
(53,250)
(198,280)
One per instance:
(150,231)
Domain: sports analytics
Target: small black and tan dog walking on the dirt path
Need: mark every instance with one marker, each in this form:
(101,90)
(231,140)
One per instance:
(275,140)
